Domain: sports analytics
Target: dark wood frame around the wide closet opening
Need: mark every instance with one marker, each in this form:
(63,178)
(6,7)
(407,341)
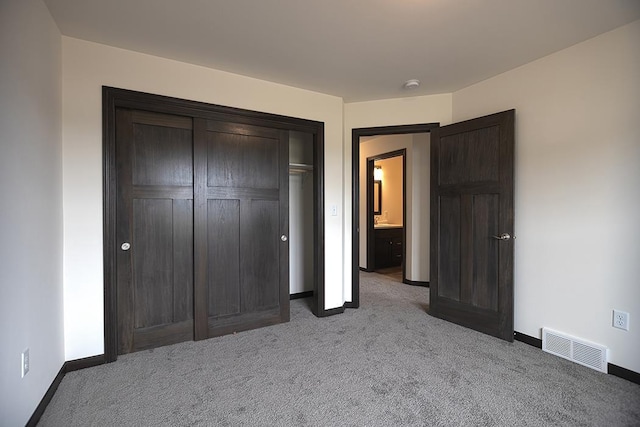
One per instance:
(113,98)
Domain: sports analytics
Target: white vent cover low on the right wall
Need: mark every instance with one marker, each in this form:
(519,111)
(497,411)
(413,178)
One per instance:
(575,349)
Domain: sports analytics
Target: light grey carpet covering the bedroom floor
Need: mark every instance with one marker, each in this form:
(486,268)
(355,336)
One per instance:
(387,363)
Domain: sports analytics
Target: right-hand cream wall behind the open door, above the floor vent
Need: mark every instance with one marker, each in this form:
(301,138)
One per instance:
(577,194)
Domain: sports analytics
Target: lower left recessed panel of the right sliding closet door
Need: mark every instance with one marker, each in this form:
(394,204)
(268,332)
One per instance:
(223,225)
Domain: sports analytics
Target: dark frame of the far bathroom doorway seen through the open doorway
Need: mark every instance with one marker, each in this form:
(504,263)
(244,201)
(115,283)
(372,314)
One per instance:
(370,221)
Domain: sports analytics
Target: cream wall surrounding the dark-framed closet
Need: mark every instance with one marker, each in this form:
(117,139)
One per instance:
(86,67)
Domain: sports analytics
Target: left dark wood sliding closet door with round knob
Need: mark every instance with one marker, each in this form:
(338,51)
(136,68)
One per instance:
(154,217)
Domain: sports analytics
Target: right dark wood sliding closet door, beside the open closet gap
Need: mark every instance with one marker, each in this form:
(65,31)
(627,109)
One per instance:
(241,216)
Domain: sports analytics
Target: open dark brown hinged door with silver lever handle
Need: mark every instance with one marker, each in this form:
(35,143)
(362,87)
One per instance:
(472,224)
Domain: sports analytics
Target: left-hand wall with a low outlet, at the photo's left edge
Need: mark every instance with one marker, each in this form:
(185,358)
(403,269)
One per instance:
(31,307)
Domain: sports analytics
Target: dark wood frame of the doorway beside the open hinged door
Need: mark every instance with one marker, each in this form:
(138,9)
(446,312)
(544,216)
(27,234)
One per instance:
(356,134)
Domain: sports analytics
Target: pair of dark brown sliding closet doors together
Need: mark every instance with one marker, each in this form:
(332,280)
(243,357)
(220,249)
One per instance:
(201,228)
